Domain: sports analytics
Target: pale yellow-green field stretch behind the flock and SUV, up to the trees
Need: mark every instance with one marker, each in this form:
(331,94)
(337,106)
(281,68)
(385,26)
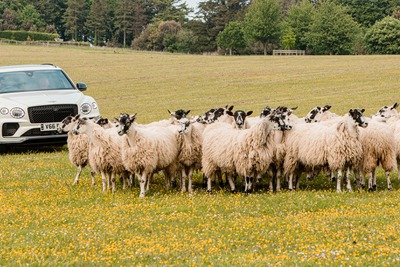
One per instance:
(150,83)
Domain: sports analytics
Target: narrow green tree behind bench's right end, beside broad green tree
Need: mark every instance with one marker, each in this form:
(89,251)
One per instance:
(299,19)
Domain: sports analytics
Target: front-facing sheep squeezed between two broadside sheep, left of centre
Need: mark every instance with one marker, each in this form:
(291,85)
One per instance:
(190,153)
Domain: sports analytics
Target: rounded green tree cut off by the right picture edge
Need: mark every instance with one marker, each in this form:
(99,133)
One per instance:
(384,37)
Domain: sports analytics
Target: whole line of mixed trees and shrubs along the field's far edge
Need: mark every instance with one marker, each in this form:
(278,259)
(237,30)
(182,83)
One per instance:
(225,26)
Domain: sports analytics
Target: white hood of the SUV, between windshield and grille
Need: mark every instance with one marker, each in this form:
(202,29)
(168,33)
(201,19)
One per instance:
(36,98)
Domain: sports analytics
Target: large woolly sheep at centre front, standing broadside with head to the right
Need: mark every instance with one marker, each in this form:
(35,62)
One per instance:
(247,152)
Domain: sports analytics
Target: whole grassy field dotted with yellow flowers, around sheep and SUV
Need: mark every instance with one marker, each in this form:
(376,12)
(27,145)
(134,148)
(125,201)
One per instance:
(45,221)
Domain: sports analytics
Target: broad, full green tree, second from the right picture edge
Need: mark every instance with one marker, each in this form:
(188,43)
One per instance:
(333,31)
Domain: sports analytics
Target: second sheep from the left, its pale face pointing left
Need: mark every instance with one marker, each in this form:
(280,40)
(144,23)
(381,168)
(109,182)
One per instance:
(104,150)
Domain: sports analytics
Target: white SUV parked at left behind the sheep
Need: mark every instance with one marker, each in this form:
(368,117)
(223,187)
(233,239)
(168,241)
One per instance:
(34,99)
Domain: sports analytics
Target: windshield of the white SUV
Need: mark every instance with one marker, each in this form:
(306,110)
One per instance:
(23,81)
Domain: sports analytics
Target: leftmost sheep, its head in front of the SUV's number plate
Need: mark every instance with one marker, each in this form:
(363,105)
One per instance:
(77,146)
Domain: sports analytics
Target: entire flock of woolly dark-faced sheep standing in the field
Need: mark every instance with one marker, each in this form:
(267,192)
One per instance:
(222,143)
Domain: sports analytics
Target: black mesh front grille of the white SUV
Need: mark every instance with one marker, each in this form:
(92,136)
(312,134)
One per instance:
(51,113)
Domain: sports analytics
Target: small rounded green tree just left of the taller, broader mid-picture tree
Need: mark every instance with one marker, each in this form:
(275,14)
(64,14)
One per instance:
(232,37)
